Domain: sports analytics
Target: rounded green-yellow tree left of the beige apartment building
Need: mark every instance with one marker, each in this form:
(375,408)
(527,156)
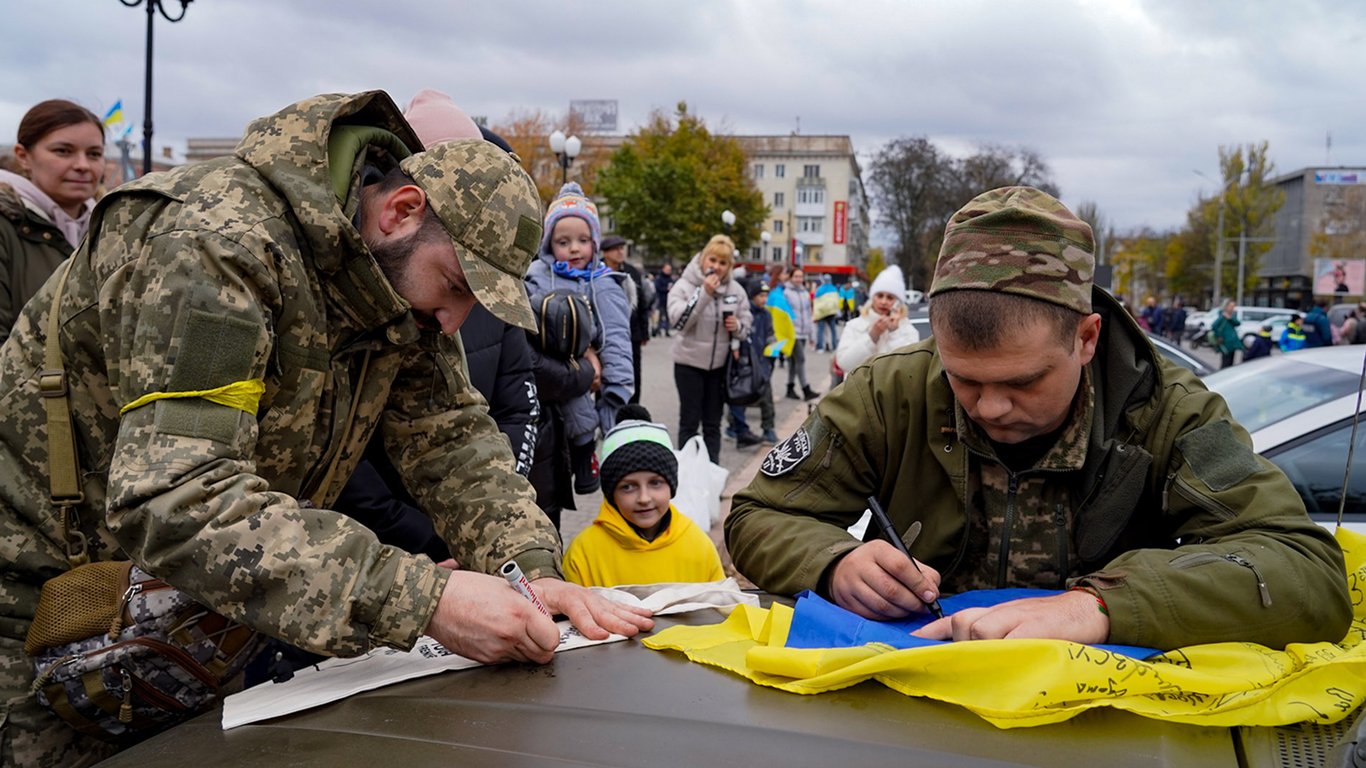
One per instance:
(669,184)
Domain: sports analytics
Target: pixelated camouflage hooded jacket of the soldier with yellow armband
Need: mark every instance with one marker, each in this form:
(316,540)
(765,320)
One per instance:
(249,269)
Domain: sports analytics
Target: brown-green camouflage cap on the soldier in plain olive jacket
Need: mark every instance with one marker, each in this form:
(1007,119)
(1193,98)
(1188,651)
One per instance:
(1018,241)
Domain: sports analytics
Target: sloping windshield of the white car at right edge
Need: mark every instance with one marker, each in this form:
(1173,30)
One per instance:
(1260,396)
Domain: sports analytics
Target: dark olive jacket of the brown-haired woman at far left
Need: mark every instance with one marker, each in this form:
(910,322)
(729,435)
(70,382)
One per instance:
(31,251)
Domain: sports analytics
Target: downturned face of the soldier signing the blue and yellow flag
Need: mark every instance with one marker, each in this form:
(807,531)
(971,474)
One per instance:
(1027,385)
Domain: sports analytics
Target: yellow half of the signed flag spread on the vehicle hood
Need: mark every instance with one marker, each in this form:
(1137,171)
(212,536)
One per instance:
(1032,683)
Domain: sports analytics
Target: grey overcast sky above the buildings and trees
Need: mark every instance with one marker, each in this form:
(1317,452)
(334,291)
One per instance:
(1125,99)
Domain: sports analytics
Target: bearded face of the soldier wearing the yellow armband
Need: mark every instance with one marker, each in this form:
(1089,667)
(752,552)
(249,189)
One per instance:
(424,270)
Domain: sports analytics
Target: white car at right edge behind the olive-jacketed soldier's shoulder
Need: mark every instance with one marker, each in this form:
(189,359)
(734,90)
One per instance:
(1298,409)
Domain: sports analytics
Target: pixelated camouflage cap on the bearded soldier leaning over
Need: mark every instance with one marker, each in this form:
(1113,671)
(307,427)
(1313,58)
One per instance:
(490,207)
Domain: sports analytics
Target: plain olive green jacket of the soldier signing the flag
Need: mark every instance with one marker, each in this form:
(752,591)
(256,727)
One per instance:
(1160,504)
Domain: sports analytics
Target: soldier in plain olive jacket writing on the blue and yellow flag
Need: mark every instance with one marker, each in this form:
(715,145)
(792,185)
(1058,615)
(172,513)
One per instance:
(1040,442)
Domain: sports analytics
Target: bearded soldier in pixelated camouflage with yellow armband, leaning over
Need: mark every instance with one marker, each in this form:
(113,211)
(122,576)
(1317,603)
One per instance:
(236,331)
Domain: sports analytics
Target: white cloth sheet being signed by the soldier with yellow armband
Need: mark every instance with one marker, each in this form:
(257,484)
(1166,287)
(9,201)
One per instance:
(339,678)
